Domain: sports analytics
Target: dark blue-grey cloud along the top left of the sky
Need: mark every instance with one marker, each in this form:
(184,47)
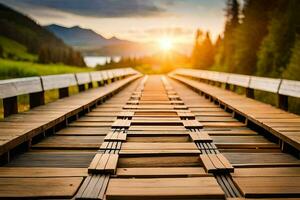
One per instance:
(97,8)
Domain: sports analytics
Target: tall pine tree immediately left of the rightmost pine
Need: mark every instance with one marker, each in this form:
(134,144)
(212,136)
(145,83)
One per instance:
(249,35)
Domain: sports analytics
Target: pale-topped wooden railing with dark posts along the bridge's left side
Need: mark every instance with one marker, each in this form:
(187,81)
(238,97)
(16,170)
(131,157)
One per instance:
(35,87)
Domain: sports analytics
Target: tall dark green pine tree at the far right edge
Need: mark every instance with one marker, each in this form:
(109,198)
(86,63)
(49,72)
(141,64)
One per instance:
(275,51)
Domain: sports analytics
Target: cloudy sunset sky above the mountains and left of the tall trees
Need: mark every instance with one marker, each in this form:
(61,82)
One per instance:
(135,20)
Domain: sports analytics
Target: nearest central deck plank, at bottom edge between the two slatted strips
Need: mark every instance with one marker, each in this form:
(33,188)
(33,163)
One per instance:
(166,188)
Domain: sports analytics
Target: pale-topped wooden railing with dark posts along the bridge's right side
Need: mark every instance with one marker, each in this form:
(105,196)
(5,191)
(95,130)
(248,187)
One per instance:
(282,87)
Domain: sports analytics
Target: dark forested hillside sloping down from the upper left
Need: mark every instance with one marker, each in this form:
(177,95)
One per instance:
(35,39)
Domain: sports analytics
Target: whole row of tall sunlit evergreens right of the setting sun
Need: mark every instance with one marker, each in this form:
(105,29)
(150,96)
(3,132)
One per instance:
(260,38)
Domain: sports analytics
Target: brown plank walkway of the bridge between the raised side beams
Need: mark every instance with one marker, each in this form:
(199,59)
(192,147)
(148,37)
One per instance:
(154,139)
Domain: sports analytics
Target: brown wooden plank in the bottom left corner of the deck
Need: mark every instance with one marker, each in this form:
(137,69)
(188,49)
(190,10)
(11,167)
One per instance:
(39,187)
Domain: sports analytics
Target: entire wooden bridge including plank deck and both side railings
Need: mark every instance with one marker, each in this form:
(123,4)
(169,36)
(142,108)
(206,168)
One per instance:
(149,137)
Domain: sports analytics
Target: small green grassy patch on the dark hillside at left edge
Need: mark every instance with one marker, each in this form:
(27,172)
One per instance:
(16,51)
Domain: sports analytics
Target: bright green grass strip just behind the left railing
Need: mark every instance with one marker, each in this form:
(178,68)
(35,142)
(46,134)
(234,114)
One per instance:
(18,69)
